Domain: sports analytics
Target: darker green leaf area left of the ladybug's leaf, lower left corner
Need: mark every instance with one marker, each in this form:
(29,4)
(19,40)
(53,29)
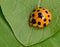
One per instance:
(7,39)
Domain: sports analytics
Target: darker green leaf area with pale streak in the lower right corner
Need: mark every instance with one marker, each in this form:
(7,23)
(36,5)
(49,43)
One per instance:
(54,41)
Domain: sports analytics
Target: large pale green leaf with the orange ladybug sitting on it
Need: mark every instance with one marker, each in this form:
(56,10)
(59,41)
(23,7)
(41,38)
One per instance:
(17,14)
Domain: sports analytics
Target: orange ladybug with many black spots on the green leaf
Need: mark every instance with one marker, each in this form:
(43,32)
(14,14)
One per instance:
(40,17)
